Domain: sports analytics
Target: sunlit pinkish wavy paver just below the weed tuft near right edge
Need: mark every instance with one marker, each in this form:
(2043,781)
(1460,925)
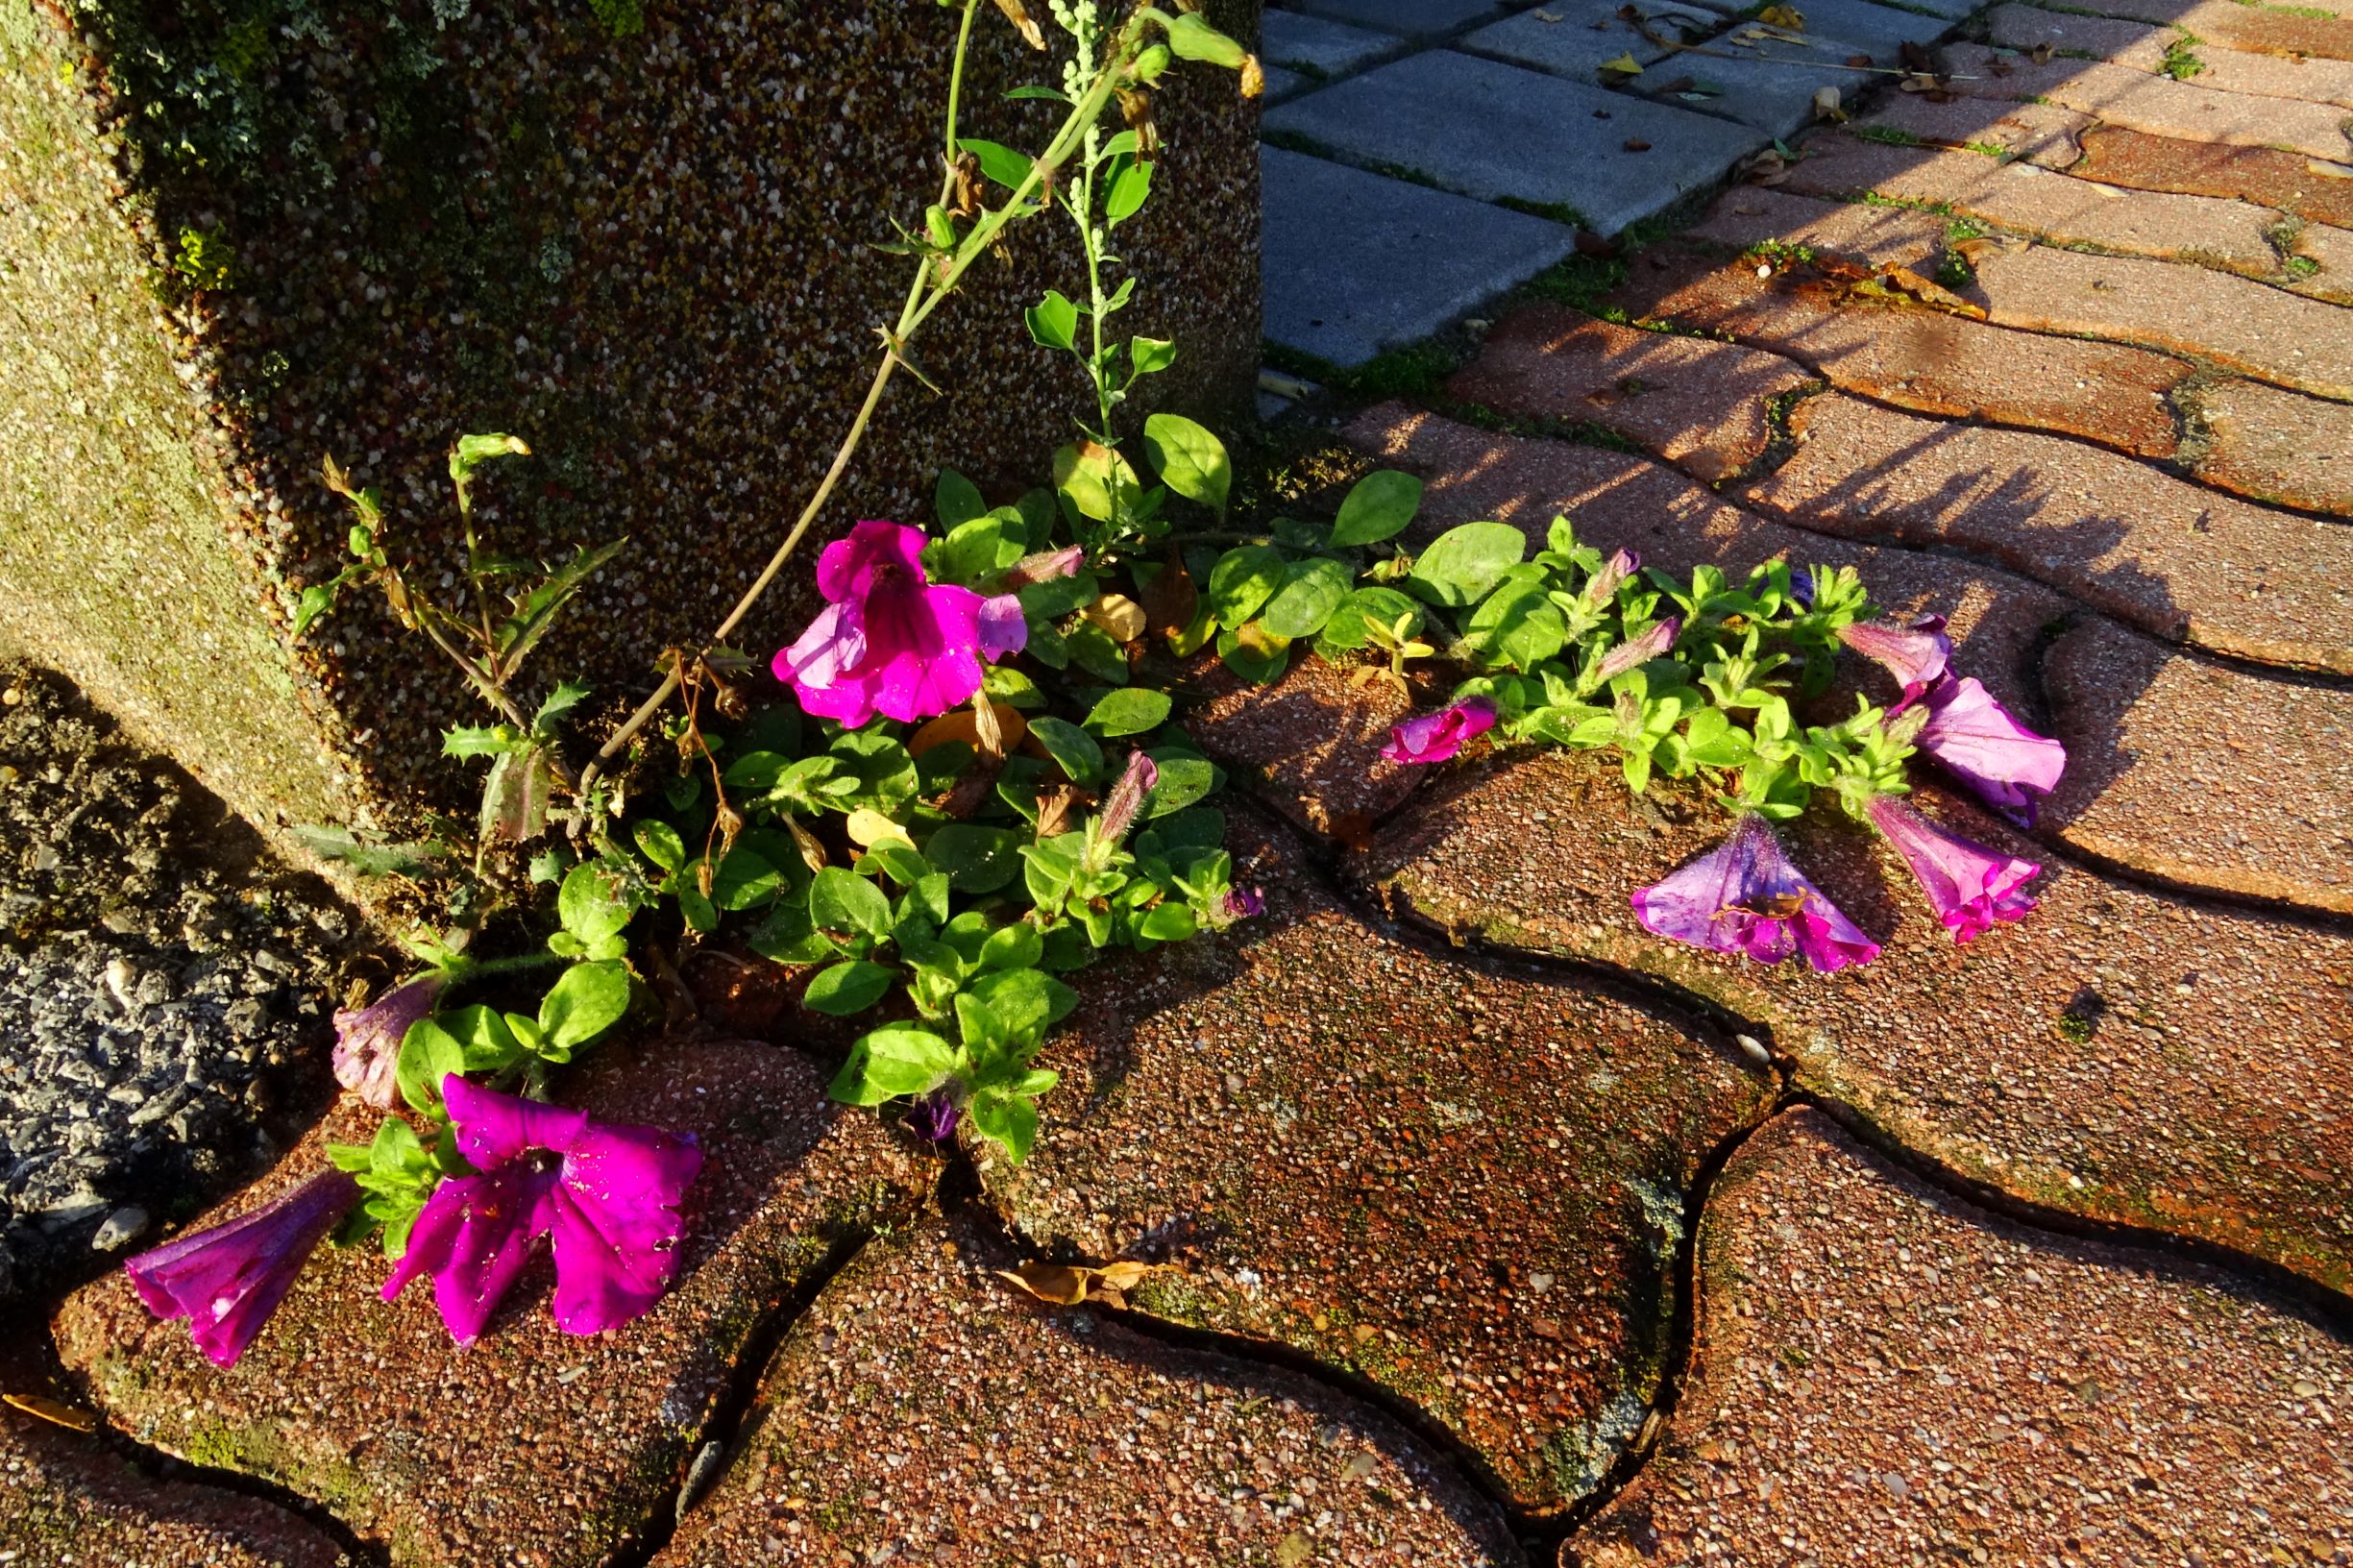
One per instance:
(2237,324)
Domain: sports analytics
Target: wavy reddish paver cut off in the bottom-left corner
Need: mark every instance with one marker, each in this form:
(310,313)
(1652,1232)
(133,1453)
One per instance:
(65,1499)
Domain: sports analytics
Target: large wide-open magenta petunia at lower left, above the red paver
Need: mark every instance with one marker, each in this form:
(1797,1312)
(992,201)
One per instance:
(608,1195)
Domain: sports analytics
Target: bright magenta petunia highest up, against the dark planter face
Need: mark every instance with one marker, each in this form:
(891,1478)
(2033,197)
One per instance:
(891,642)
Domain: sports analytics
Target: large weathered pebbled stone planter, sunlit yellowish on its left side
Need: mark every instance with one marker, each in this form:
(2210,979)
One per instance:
(644,253)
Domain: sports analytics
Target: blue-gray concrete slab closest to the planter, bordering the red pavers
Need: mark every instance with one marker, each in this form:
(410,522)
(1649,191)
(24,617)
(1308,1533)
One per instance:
(1359,263)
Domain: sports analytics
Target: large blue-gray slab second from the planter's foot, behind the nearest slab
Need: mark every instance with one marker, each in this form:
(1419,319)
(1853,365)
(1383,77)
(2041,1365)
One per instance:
(1498,131)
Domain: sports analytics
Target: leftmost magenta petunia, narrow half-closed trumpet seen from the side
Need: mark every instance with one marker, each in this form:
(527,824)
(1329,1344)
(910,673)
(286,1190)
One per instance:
(229,1280)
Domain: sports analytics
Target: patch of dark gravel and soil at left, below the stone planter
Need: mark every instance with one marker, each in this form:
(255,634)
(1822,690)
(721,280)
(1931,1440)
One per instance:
(131,1065)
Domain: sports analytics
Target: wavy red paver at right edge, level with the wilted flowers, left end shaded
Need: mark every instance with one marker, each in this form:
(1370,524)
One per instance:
(2201,773)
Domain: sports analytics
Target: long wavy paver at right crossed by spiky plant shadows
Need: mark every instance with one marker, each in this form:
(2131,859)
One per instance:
(2152,550)
